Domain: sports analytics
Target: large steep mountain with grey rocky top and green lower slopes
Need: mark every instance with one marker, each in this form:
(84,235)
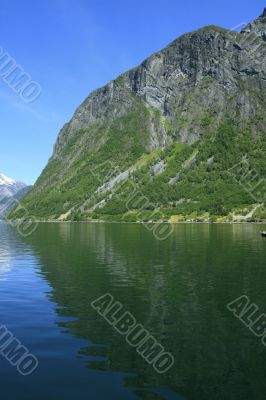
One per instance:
(180,136)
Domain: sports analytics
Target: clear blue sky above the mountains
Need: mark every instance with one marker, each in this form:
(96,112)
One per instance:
(71,47)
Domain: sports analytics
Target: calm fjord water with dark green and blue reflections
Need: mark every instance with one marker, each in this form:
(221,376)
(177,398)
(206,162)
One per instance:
(177,288)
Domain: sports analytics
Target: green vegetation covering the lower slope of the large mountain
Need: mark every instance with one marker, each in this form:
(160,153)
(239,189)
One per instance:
(205,189)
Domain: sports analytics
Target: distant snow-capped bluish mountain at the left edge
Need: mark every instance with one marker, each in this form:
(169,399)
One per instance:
(11,191)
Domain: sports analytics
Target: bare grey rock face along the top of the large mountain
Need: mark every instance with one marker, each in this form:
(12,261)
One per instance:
(211,63)
